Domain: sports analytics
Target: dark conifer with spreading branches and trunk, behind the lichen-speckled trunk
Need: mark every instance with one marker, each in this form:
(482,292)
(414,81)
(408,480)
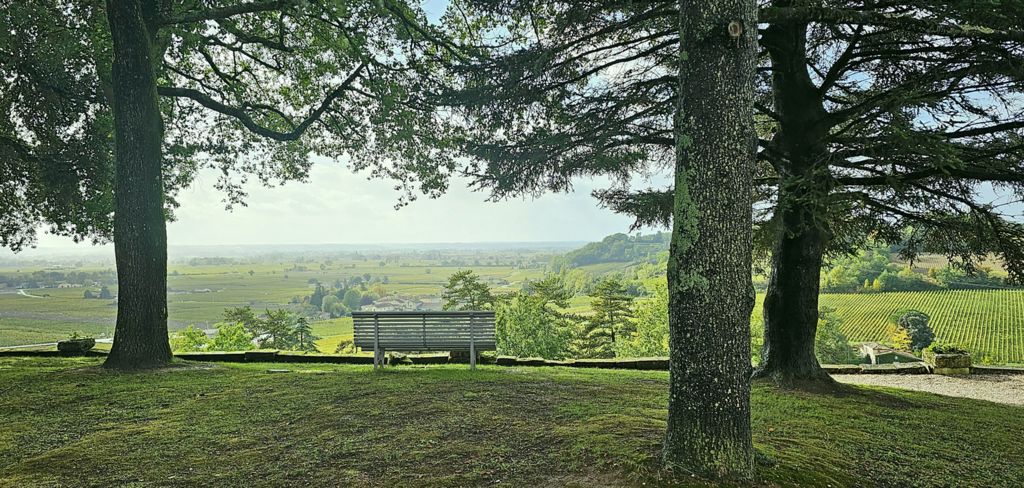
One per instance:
(881,121)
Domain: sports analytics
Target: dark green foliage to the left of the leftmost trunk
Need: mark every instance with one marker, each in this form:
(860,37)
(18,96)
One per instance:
(56,134)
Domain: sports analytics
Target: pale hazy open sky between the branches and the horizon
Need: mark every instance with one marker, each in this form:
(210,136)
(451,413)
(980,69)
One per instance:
(339,207)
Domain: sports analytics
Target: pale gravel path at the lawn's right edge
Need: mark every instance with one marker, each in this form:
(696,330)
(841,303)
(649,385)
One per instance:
(1007,389)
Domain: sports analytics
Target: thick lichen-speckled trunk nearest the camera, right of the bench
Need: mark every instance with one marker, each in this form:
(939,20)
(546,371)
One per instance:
(710,292)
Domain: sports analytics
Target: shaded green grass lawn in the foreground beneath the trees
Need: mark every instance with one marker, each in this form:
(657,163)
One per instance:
(67,423)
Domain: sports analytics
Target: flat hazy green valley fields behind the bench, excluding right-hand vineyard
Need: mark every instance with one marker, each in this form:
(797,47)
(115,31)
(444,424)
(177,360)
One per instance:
(198,294)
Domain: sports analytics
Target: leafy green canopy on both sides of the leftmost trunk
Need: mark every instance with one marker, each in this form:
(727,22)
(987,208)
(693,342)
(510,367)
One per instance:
(229,103)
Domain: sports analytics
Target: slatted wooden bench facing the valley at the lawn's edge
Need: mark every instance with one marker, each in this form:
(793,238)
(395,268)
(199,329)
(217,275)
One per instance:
(430,331)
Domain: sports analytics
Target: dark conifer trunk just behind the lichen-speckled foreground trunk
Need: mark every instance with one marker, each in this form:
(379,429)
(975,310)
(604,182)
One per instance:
(791,308)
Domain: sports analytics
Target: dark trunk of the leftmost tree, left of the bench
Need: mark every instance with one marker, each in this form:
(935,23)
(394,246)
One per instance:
(140,229)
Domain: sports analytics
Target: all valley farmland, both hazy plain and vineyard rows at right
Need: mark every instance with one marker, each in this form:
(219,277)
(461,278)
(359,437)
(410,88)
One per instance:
(990,324)
